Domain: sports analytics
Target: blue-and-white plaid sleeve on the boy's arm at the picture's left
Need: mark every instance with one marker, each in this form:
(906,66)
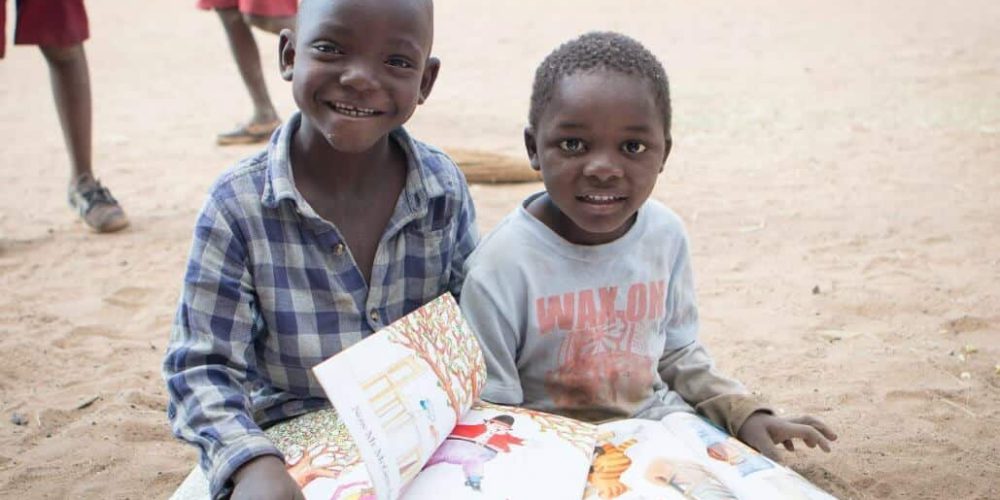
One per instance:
(211,352)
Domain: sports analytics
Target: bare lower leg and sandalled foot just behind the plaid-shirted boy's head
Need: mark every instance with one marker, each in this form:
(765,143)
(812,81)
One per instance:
(247,56)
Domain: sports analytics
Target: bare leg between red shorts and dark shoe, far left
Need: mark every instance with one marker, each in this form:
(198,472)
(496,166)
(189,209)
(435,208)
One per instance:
(70,79)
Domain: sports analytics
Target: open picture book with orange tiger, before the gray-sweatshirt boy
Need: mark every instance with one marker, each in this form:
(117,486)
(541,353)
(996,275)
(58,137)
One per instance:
(685,456)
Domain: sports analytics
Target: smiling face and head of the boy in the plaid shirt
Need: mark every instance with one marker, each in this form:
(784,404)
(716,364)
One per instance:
(359,68)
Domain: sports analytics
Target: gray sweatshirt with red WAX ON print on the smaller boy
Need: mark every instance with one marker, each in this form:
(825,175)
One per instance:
(595,332)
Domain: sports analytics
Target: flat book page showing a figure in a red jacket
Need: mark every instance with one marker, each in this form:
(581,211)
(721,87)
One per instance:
(500,452)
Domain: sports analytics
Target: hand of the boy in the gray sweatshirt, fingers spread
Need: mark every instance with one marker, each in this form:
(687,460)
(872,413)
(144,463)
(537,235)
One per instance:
(763,430)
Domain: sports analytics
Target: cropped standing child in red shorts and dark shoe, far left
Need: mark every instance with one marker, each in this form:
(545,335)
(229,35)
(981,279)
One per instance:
(59,28)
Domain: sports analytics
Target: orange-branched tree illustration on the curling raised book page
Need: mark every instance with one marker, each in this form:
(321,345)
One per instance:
(438,335)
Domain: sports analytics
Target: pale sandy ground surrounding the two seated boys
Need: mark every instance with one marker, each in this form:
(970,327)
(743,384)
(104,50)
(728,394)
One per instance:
(837,163)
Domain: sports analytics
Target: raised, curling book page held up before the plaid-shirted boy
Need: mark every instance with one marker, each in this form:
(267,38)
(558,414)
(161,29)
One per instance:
(401,390)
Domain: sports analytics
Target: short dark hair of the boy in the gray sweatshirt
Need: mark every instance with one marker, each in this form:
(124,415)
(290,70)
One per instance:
(600,50)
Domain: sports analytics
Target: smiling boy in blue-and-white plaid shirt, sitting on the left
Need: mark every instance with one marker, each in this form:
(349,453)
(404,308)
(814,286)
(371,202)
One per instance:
(343,224)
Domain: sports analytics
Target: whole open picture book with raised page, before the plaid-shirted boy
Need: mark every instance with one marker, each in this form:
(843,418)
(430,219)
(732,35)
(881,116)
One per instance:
(407,424)
